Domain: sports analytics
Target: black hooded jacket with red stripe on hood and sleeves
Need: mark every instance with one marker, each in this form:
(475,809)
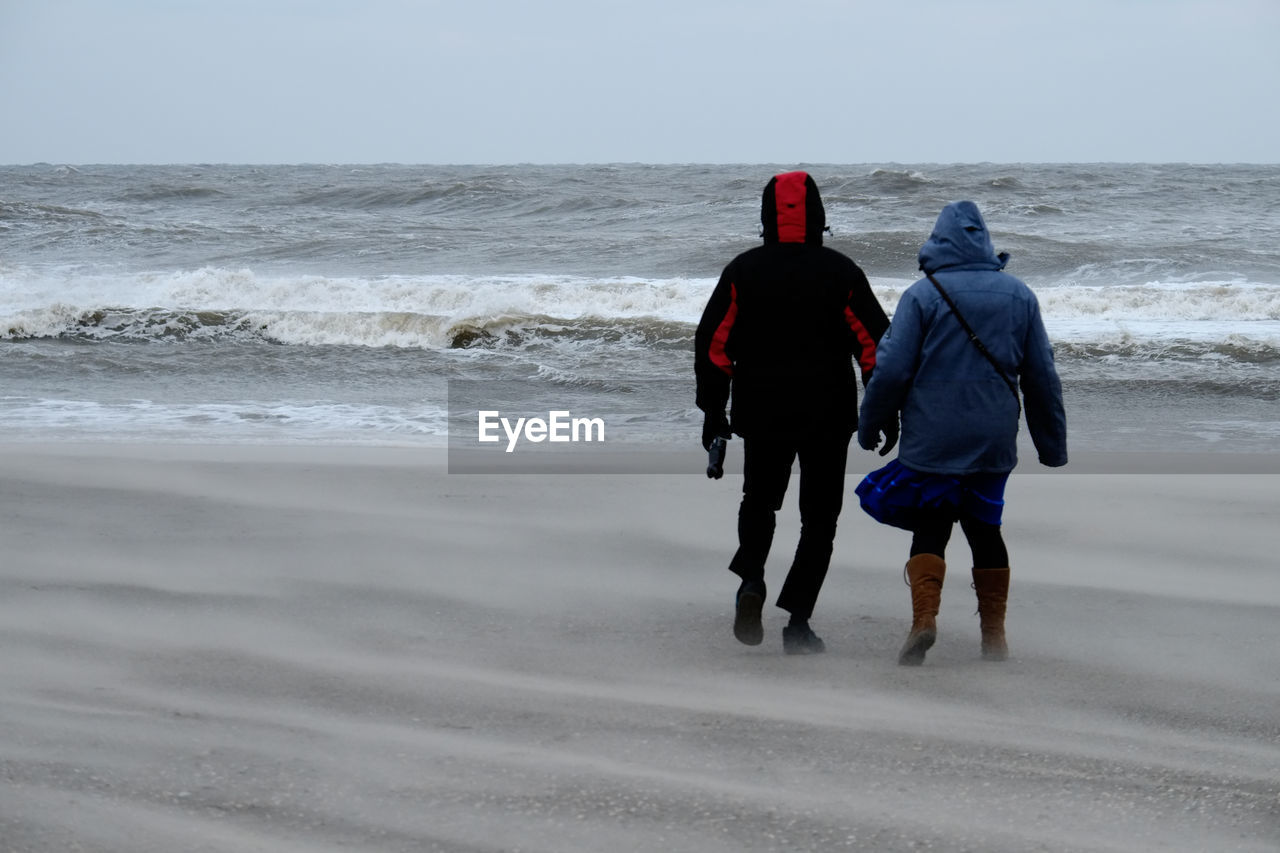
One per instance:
(787,323)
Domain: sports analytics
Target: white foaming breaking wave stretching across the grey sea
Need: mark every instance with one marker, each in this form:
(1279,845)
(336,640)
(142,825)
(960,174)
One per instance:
(1233,321)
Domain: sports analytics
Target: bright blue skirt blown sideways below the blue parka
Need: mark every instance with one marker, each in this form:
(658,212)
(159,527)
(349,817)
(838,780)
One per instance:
(895,495)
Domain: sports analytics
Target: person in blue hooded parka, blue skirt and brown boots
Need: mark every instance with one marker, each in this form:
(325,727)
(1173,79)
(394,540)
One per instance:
(964,341)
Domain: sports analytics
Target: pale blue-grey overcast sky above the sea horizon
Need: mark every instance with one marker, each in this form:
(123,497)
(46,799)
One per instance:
(652,81)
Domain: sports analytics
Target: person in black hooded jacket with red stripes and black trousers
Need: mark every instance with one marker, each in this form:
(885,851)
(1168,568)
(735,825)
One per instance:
(784,330)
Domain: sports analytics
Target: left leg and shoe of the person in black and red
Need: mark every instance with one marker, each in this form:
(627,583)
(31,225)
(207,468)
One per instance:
(766,471)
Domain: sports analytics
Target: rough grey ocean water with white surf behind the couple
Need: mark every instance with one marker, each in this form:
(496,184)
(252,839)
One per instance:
(340,304)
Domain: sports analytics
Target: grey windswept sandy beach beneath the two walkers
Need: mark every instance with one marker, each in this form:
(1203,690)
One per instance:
(323,649)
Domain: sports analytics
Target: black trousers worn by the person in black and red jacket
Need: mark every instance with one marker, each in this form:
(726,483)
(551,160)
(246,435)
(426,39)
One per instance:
(766,472)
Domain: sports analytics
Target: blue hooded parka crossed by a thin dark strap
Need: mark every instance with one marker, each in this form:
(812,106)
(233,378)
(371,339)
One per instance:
(958,416)
